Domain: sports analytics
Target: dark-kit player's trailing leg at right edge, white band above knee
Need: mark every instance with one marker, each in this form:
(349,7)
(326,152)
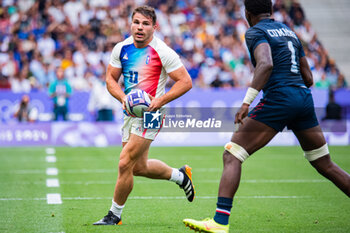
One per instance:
(316,151)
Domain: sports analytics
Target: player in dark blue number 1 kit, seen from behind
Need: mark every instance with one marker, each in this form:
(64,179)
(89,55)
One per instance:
(282,71)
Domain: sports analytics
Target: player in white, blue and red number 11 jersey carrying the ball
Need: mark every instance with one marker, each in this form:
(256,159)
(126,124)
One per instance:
(145,61)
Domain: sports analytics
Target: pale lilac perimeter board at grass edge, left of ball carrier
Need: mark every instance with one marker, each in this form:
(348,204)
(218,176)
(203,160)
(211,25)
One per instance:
(60,134)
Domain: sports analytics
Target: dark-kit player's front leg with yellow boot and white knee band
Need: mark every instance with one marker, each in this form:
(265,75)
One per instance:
(250,137)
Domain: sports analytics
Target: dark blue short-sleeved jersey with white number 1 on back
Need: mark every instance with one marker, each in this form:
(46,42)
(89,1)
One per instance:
(286,51)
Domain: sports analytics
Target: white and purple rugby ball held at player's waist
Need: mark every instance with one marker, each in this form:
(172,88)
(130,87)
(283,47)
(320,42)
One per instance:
(137,102)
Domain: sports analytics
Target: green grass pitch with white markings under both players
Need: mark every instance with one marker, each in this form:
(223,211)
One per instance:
(279,192)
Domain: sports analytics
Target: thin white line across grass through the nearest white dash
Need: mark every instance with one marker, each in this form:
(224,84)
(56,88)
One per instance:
(55,198)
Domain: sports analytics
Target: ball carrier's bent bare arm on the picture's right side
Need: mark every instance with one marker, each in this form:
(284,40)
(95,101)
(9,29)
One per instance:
(183,84)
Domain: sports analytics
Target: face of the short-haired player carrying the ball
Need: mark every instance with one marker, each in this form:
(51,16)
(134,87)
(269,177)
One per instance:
(142,29)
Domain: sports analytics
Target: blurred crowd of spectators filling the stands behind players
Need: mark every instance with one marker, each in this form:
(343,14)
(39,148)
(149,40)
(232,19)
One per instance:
(37,37)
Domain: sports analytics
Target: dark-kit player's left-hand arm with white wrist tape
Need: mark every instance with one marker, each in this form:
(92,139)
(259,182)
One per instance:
(263,69)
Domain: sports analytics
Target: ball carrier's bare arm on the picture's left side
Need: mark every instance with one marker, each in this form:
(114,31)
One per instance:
(112,78)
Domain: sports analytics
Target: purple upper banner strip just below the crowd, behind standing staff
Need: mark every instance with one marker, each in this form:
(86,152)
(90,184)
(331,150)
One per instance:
(209,98)
